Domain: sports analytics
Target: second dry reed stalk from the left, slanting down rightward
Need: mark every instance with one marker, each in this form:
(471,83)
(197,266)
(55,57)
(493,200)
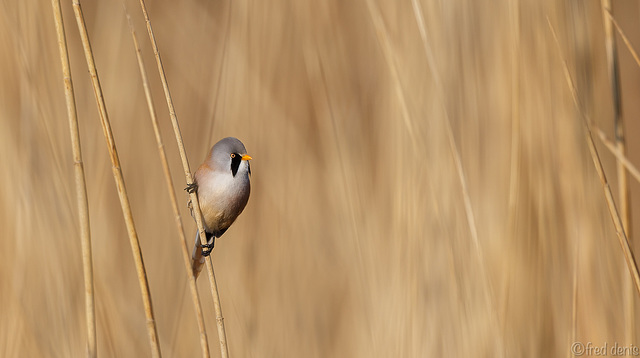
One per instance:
(120,185)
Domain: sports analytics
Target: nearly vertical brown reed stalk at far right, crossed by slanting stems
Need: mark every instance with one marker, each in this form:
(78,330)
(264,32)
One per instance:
(623,185)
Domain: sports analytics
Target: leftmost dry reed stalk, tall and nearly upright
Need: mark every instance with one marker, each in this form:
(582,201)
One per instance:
(81,185)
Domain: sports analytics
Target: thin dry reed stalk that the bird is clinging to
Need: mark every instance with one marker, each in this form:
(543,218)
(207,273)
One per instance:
(222,336)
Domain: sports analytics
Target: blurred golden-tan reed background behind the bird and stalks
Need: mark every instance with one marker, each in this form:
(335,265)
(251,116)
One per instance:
(355,242)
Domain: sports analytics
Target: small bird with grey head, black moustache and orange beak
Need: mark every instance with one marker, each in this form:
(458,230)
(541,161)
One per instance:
(223,187)
